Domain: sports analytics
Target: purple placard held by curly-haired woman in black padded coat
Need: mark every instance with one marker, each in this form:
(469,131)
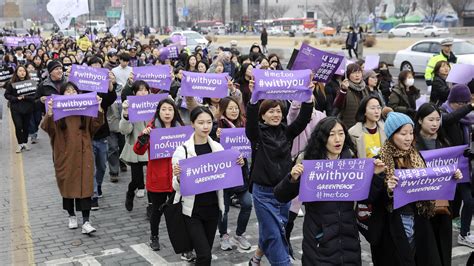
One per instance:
(336,180)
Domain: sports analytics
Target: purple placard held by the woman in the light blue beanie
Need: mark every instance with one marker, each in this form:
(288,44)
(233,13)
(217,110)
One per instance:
(424,184)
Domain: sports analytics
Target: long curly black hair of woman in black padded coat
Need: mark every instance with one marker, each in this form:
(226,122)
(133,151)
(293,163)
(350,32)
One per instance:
(316,148)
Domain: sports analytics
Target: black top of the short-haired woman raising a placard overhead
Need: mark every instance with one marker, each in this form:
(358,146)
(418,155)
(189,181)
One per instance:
(271,145)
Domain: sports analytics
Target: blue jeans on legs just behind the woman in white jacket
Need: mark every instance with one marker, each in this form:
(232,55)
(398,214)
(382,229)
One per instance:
(244,214)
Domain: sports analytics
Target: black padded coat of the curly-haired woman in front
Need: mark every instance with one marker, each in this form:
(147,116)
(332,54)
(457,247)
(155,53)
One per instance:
(330,233)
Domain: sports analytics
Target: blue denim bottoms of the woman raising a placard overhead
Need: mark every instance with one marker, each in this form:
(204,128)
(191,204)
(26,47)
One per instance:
(272,217)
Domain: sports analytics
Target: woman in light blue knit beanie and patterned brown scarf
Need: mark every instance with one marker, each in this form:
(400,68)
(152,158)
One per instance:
(408,238)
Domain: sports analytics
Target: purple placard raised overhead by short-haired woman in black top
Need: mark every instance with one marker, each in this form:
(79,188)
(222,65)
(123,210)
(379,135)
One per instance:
(282,85)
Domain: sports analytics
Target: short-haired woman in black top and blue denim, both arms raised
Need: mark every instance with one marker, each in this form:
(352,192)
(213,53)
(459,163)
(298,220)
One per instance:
(271,141)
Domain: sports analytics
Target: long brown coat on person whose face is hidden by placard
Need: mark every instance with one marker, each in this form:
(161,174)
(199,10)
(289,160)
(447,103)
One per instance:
(72,154)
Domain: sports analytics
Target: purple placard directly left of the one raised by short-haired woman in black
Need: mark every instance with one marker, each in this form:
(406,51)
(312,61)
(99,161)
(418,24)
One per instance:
(204,85)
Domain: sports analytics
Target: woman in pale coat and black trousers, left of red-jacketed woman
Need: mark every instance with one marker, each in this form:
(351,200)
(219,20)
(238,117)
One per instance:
(131,131)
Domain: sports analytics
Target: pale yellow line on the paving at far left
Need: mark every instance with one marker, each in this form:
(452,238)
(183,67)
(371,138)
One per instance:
(21,238)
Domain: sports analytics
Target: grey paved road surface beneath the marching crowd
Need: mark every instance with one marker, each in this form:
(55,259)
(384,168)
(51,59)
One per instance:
(33,226)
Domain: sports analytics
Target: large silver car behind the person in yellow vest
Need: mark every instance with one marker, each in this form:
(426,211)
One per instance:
(416,57)
